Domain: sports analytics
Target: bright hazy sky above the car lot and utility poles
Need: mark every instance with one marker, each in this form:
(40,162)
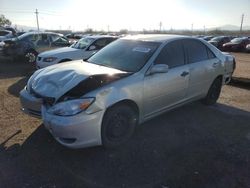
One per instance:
(129,14)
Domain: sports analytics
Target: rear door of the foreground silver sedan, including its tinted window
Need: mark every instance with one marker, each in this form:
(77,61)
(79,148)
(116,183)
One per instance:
(203,67)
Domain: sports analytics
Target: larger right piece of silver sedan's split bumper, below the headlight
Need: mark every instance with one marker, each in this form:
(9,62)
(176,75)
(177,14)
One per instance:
(78,131)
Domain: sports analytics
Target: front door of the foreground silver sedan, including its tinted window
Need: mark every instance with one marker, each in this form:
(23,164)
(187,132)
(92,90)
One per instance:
(163,90)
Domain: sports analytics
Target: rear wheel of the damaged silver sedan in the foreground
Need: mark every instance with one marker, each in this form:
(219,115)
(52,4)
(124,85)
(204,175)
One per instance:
(213,92)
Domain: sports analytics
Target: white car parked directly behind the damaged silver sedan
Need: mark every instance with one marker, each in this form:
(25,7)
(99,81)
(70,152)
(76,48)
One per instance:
(82,49)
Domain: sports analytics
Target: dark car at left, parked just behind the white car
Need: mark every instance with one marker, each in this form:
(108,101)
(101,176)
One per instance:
(30,44)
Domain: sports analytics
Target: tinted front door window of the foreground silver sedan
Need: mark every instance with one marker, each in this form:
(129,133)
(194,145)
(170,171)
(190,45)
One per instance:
(172,54)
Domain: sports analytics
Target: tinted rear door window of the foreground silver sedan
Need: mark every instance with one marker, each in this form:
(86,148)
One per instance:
(196,50)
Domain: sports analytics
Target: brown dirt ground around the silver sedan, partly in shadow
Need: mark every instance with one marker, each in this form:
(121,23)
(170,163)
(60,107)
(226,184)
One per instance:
(193,146)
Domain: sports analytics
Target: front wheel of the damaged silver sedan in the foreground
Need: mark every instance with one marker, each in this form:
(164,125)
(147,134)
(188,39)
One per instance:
(118,125)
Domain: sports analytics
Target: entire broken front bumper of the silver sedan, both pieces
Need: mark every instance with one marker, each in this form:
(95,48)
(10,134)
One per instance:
(78,131)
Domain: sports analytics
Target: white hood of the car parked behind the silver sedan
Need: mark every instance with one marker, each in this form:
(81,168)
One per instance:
(58,51)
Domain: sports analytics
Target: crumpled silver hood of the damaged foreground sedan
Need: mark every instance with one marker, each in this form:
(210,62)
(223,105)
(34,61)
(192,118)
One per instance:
(56,80)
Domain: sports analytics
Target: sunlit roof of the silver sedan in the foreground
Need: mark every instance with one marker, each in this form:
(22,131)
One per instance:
(154,37)
